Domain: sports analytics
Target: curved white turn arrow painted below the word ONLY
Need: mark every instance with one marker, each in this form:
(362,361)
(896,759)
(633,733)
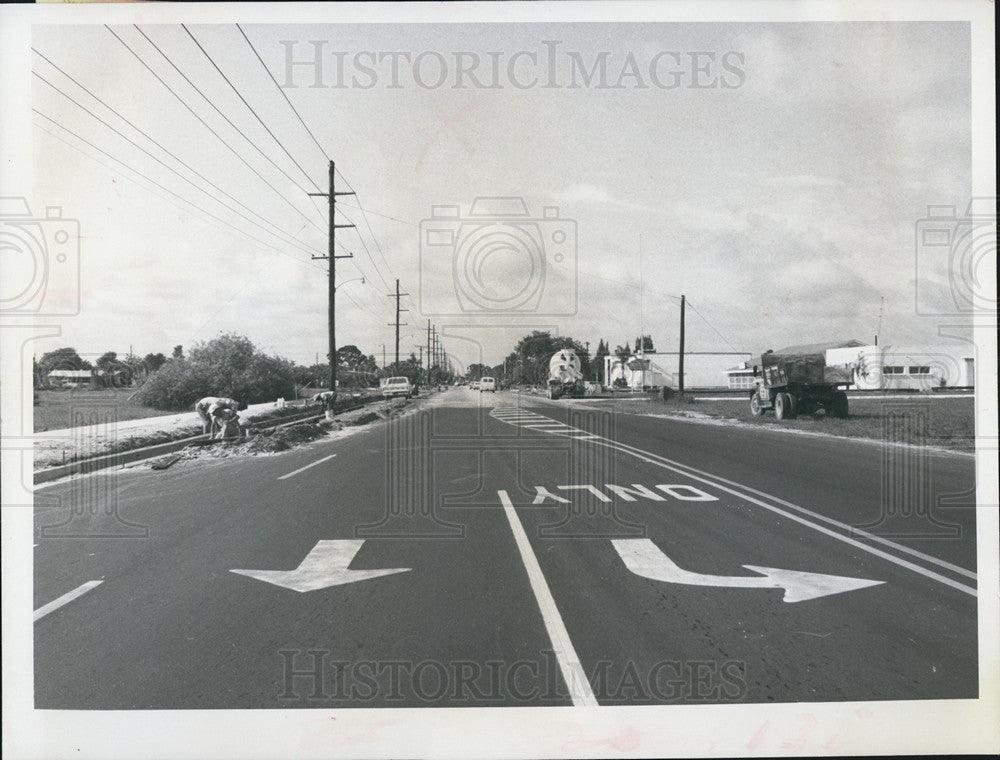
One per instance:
(645,558)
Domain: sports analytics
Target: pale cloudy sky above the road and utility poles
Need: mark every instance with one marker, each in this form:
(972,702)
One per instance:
(773,173)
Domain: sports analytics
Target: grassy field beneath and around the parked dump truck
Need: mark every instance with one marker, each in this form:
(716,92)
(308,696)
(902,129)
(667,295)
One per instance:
(917,419)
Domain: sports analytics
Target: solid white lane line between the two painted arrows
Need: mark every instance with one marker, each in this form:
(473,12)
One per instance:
(570,665)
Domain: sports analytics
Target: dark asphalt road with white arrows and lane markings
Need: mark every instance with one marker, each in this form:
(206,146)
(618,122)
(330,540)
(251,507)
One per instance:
(535,553)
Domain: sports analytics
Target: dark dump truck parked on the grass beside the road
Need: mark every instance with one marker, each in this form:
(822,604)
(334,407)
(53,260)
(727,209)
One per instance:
(794,384)
